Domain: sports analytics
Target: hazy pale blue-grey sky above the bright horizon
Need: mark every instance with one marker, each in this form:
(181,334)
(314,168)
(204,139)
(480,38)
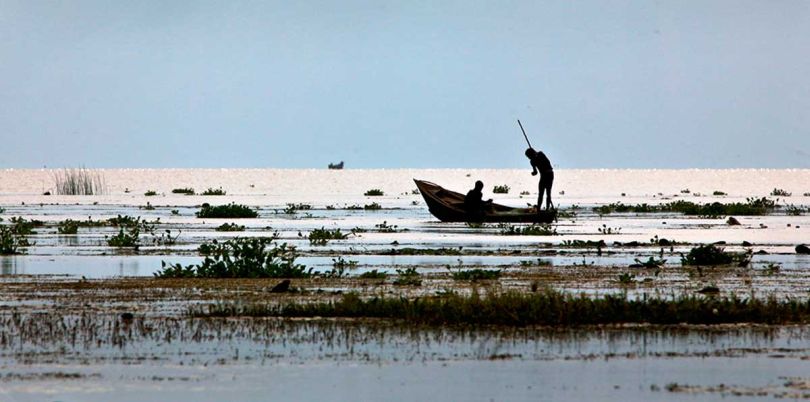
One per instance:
(404,84)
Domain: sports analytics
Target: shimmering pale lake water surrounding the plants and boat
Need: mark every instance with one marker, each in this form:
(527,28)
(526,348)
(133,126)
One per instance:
(62,275)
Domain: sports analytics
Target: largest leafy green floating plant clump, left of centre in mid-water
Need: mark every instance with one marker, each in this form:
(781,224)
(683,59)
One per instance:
(256,257)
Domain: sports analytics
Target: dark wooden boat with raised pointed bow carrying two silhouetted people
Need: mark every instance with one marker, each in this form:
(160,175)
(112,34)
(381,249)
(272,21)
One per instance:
(448,206)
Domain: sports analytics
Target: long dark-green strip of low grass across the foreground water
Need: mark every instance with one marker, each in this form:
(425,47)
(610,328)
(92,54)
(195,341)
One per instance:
(541,308)
